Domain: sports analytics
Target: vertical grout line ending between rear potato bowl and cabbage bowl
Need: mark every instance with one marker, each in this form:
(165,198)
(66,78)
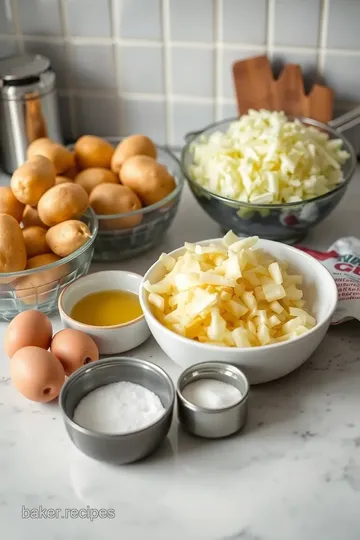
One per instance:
(165,11)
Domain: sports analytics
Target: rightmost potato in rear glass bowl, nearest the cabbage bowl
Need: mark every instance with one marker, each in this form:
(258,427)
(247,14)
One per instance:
(150,180)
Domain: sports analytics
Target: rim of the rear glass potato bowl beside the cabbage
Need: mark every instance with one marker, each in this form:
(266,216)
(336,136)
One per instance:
(151,207)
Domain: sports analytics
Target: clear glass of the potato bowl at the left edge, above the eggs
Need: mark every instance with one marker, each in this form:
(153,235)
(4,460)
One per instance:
(40,288)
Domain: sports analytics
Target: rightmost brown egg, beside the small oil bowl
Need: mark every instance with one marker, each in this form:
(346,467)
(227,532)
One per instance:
(74,349)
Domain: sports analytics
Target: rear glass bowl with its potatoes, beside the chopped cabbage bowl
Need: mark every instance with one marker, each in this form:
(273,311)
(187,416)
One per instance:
(134,187)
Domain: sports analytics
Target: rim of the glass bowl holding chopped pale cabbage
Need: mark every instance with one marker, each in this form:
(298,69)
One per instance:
(315,123)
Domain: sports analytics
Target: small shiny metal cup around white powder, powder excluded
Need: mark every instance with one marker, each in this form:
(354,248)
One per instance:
(213,423)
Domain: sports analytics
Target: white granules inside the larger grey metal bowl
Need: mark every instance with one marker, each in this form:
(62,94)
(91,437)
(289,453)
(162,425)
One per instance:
(118,407)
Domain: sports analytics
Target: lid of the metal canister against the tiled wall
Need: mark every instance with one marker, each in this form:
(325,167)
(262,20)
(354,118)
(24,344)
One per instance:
(23,69)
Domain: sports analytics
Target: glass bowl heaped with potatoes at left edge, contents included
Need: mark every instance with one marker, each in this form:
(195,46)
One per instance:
(47,231)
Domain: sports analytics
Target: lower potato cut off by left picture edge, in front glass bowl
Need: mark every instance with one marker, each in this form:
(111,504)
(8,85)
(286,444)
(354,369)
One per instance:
(12,245)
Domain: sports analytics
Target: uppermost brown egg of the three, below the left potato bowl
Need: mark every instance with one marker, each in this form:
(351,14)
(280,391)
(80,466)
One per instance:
(28,328)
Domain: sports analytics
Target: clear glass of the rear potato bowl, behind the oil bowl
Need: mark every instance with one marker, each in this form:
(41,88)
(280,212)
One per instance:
(117,244)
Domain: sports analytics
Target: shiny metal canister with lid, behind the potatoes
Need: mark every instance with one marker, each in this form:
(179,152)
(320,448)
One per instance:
(28,106)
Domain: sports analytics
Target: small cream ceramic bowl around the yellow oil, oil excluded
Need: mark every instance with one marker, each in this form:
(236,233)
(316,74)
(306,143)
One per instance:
(109,339)
